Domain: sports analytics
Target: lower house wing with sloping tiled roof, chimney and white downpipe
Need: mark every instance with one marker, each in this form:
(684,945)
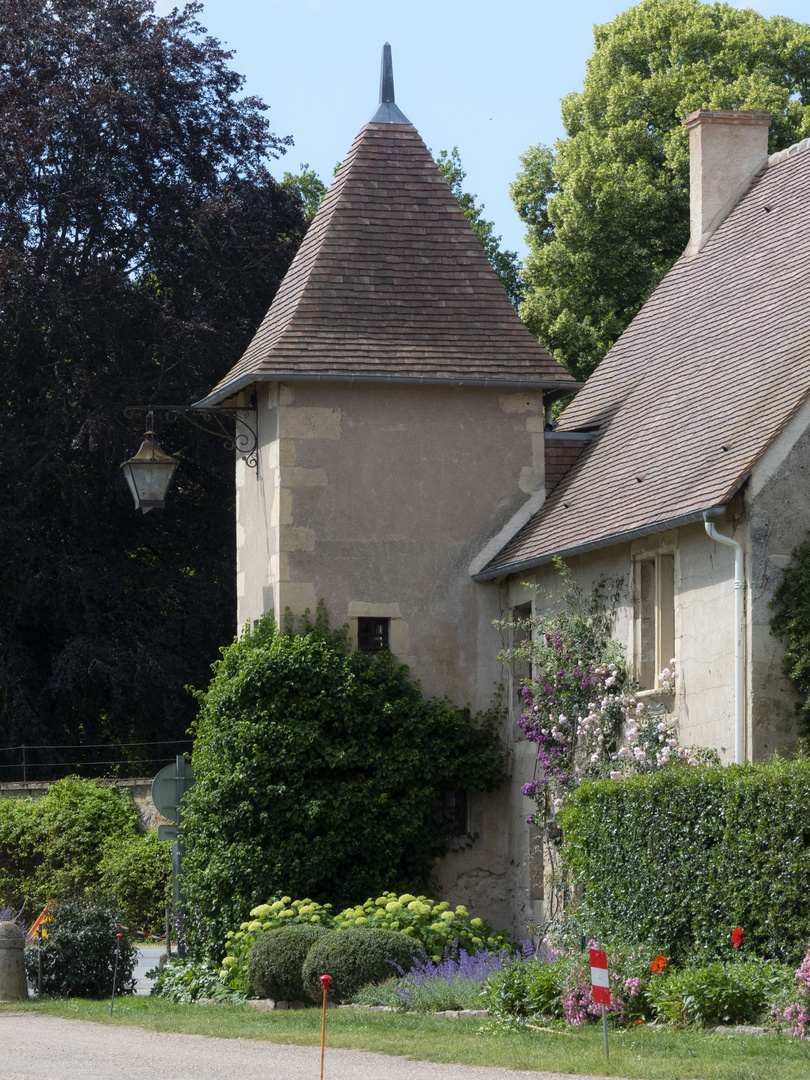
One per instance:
(688,451)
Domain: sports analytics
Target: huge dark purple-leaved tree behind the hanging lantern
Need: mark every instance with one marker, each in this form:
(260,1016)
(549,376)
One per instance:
(142,239)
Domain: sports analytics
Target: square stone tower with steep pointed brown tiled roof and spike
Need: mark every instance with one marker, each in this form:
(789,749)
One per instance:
(401,408)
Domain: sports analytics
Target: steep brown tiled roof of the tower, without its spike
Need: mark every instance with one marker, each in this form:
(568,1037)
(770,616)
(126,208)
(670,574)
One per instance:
(391,285)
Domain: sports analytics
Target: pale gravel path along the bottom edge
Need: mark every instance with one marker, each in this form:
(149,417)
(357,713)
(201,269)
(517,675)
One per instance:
(50,1048)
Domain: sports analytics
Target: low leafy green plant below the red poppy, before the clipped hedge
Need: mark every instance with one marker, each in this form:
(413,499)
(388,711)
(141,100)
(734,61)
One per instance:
(720,993)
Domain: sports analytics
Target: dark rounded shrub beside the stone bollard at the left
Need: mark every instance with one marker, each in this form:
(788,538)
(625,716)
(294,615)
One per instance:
(79,953)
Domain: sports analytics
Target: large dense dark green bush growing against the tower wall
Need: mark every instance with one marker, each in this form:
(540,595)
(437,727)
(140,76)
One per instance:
(316,775)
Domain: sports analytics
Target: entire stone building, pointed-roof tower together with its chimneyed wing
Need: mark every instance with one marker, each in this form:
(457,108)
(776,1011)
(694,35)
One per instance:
(411,477)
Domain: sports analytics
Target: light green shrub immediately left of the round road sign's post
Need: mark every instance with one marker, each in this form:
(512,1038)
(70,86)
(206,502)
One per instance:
(137,872)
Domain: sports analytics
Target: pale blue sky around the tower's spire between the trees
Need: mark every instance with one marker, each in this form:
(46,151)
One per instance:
(481,76)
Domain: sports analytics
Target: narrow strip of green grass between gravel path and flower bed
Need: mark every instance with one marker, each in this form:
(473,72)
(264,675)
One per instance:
(640,1054)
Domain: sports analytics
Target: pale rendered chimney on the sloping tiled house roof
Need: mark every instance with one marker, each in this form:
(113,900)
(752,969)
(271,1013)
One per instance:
(727,148)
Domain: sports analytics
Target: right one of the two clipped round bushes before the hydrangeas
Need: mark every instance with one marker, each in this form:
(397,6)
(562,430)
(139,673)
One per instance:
(355,958)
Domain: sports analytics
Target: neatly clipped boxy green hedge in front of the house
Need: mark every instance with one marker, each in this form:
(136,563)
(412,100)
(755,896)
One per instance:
(681,858)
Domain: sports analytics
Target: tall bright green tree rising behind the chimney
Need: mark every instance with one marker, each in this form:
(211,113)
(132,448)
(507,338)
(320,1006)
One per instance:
(607,209)
